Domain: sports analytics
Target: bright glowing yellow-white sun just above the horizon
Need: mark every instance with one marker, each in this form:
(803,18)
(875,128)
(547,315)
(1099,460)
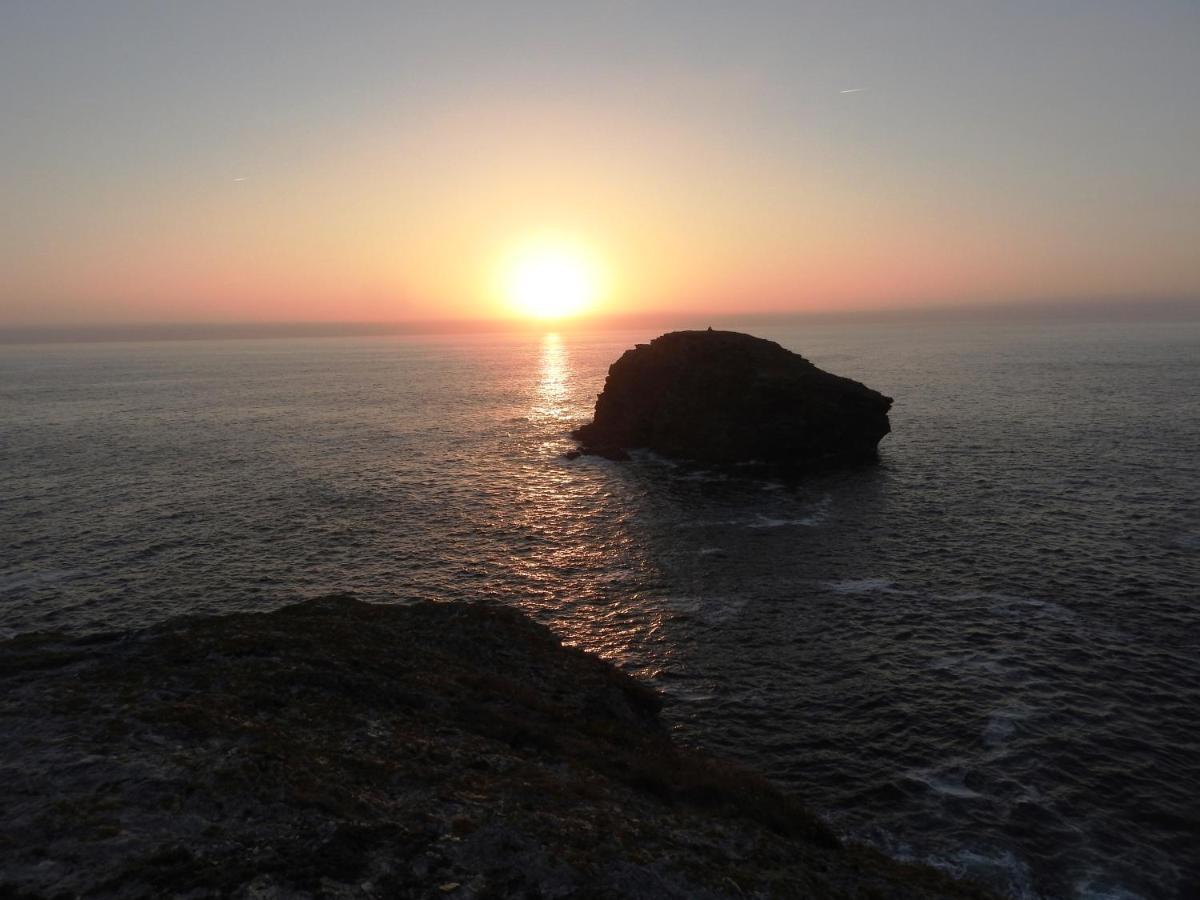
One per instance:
(551,280)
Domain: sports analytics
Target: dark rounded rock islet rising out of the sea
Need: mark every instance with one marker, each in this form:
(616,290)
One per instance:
(724,398)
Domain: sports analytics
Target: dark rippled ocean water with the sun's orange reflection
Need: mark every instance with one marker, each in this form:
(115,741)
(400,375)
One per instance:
(983,652)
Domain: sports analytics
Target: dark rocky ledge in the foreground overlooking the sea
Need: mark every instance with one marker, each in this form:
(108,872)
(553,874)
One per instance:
(341,749)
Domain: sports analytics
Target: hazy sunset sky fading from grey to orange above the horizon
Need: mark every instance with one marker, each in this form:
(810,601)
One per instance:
(377,163)
